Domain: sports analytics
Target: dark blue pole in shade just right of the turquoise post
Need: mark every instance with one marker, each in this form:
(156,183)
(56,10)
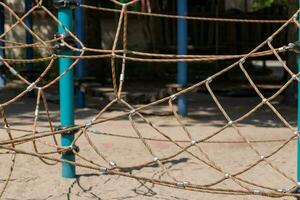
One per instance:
(80,70)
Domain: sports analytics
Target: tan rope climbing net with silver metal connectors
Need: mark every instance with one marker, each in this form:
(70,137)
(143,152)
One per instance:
(194,148)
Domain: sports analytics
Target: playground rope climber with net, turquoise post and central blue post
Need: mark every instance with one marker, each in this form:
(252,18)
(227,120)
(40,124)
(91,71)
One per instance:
(69,55)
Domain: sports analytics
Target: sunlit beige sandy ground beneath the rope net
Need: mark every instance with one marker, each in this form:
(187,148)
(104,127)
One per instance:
(34,180)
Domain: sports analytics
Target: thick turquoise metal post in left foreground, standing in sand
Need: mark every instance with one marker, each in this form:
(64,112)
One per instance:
(66,89)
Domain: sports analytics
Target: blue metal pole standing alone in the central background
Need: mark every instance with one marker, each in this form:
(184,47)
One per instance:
(182,50)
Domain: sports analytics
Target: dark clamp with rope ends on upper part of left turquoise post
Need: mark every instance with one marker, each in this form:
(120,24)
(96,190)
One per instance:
(64,42)
